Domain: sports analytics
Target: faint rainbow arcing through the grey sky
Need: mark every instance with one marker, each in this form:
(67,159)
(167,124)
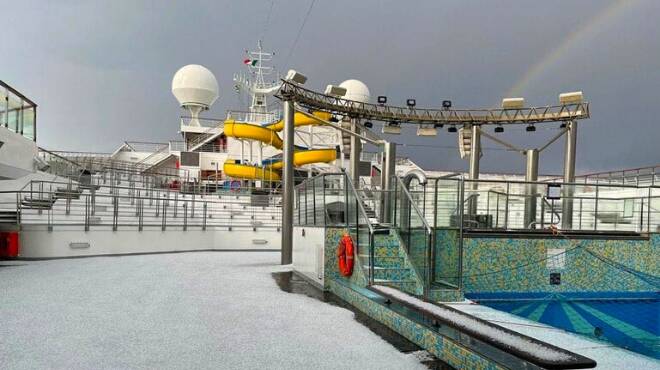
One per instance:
(588,29)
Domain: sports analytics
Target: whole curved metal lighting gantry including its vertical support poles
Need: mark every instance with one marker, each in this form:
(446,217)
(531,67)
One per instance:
(291,92)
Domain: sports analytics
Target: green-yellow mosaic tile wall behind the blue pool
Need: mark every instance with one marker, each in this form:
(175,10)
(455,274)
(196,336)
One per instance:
(525,265)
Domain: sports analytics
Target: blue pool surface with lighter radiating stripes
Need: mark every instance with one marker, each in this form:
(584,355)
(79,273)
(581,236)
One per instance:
(630,321)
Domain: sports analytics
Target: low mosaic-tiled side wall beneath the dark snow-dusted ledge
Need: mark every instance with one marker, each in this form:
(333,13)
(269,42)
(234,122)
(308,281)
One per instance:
(441,347)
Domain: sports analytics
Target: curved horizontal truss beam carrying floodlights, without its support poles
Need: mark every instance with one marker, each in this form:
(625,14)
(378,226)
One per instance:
(318,101)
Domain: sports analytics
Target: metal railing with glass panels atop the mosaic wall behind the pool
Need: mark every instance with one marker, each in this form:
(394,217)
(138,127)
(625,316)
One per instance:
(500,204)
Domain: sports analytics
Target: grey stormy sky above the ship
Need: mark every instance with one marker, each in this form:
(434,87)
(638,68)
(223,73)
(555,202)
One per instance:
(101,70)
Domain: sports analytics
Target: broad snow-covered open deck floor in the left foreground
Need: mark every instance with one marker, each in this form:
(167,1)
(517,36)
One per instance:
(188,310)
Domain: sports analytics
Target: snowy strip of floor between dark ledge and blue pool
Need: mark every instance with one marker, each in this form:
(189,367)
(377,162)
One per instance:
(606,355)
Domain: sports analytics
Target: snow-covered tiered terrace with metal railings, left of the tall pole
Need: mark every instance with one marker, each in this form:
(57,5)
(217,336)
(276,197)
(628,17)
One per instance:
(55,204)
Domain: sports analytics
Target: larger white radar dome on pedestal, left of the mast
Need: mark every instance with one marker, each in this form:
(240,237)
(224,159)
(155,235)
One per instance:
(196,89)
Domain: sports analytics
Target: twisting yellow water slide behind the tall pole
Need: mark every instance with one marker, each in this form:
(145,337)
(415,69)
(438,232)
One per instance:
(268,135)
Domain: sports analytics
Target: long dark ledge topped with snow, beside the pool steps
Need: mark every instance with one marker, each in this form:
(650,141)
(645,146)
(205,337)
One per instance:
(529,349)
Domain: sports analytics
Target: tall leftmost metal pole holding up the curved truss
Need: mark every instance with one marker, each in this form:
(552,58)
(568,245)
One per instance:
(287,184)
